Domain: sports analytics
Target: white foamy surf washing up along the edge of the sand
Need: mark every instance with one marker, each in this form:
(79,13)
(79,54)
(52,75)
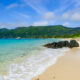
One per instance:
(34,65)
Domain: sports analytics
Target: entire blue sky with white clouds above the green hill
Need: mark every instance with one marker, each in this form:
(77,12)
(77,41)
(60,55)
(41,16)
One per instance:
(17,13)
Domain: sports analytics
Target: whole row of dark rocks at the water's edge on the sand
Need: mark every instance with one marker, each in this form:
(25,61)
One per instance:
(60,44)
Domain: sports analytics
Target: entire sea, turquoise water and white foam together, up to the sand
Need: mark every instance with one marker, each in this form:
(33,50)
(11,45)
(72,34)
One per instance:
(23,59)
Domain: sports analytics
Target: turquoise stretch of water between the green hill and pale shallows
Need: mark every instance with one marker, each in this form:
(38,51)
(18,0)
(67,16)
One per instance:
(12,48)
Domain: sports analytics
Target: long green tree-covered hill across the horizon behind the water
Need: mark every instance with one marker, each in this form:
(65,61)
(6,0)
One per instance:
(57,31)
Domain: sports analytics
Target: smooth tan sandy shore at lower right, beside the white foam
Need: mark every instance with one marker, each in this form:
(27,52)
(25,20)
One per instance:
(67,67)
